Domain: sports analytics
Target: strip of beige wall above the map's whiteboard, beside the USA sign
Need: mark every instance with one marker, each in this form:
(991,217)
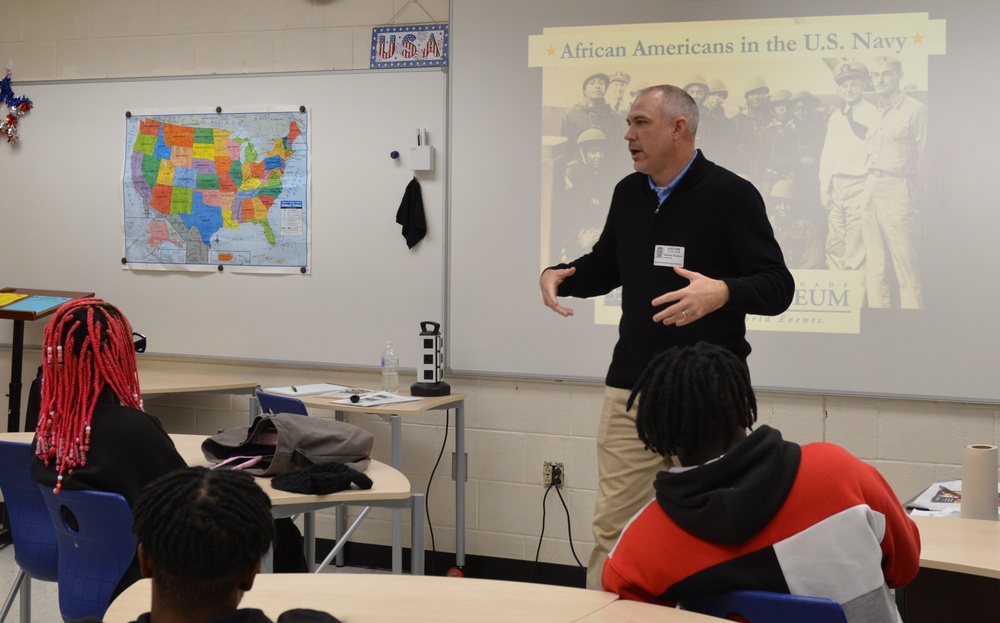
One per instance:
(68,39)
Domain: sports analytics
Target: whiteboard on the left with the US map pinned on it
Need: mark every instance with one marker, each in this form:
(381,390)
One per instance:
(62,217)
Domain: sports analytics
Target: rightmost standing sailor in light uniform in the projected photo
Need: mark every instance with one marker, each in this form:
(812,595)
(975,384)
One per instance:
(892,205)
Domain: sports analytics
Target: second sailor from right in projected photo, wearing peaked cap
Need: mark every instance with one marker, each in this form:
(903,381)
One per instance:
(842,167)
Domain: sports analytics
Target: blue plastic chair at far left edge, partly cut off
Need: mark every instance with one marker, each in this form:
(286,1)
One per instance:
(34,538)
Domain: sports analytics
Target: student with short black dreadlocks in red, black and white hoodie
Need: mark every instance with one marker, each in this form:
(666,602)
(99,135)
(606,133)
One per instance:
(753,511)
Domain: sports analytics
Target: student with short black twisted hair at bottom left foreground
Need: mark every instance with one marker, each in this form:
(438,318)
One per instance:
(202,534)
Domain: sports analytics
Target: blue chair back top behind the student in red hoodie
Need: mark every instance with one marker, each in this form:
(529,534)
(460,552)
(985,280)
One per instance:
(767,607)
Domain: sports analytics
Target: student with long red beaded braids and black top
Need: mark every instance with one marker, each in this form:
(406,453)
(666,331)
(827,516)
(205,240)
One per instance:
(92,432)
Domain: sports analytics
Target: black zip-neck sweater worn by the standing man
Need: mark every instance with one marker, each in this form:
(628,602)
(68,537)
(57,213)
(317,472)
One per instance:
(719,220)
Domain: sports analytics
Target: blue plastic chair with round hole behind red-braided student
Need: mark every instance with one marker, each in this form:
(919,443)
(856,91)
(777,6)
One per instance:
(96,547)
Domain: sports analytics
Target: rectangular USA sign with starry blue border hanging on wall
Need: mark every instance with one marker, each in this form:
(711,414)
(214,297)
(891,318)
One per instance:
(411,45)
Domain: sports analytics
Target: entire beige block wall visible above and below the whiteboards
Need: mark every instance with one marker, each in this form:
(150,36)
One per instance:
(512,426)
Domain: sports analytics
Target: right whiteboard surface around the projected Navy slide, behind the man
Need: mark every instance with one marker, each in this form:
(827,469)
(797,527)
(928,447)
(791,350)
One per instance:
(500,112)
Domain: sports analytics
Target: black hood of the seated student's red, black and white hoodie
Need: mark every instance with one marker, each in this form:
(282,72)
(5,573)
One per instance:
(729,500)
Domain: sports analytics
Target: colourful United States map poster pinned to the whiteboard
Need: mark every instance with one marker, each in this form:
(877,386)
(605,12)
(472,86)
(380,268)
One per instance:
(203,191)
